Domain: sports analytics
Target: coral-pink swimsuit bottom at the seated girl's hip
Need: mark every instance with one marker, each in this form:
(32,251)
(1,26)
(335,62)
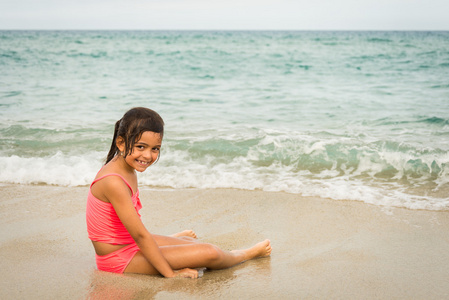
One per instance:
(117,261)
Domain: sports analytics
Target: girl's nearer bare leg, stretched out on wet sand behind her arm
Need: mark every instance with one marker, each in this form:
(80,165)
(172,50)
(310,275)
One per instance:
(196,255)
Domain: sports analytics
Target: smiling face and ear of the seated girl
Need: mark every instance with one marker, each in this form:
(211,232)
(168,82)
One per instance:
(145,151)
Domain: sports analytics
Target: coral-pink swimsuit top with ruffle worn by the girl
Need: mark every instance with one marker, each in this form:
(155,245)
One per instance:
(103,224)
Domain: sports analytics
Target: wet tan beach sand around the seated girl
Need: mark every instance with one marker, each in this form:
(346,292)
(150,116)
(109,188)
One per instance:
(321,248)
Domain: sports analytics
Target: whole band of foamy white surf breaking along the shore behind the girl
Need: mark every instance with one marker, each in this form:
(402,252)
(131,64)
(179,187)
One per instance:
(378,173)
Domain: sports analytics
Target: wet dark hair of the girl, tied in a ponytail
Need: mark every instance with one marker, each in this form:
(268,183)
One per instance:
(131,127)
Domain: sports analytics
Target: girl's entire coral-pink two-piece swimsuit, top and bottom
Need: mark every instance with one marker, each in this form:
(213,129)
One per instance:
(103,225)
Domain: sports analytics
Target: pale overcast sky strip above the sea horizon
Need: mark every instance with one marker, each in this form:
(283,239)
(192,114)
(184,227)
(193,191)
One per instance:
(226,14)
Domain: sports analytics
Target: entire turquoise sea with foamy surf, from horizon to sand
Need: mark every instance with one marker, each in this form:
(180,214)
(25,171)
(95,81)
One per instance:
(343,115)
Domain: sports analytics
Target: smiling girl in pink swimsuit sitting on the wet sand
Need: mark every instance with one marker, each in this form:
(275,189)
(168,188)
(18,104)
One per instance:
(121,241)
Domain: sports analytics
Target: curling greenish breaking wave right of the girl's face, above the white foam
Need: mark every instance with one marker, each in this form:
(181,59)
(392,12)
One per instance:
(317,154)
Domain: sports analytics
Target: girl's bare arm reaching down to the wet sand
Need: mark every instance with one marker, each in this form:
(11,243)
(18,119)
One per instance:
(119,196)
